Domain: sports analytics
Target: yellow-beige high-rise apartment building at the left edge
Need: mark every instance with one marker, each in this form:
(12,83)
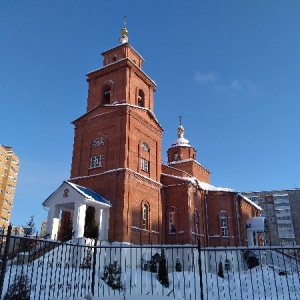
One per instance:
(9,168)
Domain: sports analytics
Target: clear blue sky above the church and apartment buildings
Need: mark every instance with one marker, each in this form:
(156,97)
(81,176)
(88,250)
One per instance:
(230,68)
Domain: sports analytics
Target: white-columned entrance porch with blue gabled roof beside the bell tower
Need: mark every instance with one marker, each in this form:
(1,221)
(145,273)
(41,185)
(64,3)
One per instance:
(86,214)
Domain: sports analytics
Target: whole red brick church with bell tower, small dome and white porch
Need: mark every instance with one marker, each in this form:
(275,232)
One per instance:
(119,180)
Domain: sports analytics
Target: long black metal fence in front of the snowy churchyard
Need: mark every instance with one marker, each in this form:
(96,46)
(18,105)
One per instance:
(43,269)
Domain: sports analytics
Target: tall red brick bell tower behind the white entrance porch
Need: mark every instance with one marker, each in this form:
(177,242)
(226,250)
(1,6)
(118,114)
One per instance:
(117,145)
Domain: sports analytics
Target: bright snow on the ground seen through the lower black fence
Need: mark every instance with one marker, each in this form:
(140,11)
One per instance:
(53,279)
